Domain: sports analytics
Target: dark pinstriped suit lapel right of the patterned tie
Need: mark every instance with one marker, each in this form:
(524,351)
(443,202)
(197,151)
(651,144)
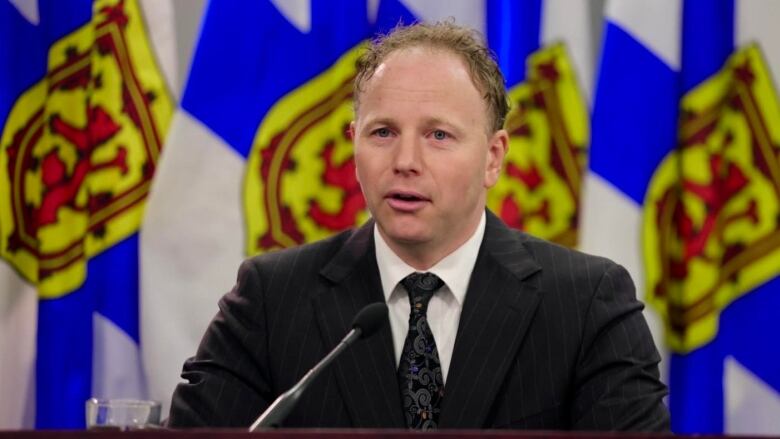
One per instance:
(499,305)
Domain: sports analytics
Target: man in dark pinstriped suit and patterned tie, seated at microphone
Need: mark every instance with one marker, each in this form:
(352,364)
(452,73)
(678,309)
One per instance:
(501,331)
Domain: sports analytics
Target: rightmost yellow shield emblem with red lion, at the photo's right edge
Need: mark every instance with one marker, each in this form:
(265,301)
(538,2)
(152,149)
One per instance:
(711,221)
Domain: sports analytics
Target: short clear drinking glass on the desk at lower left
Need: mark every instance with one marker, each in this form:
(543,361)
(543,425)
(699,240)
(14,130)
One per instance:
(122,414)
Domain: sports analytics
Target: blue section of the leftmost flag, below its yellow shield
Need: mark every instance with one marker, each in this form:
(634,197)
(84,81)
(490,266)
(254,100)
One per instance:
(64,374)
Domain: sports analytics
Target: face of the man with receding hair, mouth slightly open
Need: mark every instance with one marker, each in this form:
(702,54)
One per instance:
(423,155)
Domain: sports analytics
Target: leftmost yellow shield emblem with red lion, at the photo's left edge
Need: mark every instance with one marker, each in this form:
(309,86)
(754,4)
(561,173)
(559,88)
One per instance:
(79,149)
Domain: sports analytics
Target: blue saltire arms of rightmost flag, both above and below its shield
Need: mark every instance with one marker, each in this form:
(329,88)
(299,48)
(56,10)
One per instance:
(635,125)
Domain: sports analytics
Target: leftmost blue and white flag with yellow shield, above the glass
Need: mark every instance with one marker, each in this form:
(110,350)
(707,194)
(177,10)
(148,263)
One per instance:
(84,112)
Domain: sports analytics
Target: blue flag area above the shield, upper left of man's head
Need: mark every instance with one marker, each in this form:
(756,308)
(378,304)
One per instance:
(234,80)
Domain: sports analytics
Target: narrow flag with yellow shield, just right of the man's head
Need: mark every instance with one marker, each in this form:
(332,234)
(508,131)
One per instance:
(545,49)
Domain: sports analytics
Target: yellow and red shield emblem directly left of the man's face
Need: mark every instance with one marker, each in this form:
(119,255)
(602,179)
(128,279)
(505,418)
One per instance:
(300,184)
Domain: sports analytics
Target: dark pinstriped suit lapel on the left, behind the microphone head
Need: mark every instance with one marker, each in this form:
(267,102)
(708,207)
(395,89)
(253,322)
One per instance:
(366,372)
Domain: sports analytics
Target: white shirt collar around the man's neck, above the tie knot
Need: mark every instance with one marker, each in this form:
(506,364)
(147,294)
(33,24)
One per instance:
(455,269)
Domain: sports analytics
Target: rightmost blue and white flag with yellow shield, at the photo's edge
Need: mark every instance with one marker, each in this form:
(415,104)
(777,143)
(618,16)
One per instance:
(684,165)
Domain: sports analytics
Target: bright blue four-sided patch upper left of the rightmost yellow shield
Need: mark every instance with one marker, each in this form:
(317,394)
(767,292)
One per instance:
(635,113)
